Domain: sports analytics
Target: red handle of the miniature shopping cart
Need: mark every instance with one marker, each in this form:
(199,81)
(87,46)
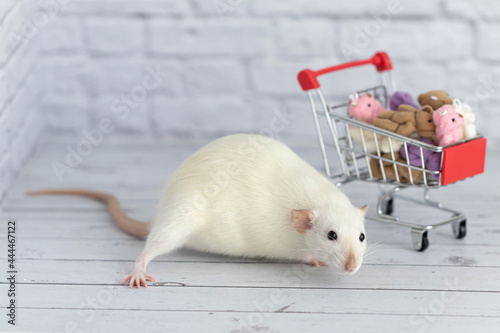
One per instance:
(308,78)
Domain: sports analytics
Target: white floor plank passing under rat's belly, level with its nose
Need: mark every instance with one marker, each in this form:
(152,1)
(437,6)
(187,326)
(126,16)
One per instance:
(129,249)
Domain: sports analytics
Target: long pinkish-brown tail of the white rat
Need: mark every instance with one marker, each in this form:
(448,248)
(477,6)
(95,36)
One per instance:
(129,225)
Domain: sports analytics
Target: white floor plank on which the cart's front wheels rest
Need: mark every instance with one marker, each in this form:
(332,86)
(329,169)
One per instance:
(86,225)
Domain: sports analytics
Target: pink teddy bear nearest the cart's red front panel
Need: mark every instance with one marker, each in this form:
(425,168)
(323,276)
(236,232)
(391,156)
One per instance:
(448,125)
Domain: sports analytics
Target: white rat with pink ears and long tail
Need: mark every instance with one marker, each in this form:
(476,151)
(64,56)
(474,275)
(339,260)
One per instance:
(251,196)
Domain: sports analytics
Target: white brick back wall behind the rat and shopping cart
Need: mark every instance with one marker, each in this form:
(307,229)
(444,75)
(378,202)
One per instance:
(230,63)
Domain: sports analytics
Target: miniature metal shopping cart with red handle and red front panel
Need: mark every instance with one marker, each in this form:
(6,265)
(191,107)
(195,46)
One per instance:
(457,161)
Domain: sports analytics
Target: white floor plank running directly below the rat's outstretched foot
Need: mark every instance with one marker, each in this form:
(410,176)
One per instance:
(333,301)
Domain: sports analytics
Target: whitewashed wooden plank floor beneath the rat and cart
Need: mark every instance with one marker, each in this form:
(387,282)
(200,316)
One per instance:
(71,258)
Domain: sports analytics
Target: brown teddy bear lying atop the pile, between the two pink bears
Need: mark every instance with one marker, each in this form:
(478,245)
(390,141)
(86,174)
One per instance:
(408,120)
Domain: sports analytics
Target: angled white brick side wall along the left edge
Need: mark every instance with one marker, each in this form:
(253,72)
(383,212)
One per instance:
(21,89)
